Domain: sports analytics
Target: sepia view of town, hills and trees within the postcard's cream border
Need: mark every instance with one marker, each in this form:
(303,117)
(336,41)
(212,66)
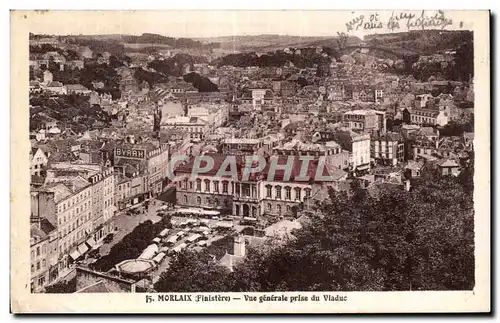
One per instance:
(252,163)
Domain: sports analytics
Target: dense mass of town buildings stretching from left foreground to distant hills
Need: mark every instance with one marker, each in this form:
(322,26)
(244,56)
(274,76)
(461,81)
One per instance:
(349,119)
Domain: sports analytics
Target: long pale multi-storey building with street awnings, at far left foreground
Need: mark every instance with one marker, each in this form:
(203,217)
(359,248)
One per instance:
(78,200)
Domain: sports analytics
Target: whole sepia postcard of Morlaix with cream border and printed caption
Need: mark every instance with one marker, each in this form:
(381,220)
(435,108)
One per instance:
(250,161)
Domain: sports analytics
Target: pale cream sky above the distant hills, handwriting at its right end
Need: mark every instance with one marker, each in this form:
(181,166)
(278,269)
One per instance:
(195,24)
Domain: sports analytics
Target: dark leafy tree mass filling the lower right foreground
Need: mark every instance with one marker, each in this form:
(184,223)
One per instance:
(396,241)
